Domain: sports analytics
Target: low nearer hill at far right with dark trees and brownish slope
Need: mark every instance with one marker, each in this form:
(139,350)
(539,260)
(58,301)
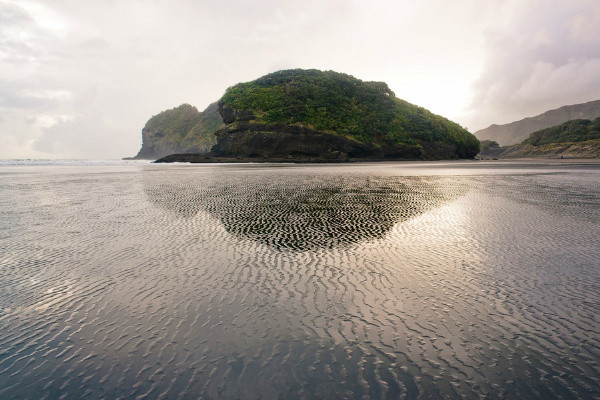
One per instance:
(579,138)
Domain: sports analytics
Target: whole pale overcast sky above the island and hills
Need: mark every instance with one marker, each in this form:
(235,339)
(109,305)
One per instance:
(80,78)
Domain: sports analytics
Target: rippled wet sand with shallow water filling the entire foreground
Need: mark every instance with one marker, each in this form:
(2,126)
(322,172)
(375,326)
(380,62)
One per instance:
(399,280)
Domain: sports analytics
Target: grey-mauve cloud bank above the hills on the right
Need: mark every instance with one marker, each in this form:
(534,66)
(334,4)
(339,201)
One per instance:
(538,58)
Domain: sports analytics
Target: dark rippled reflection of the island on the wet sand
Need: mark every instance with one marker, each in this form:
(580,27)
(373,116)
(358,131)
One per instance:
(301,212)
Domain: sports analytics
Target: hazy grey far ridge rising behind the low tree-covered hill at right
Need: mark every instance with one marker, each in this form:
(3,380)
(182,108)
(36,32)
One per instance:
(516,132)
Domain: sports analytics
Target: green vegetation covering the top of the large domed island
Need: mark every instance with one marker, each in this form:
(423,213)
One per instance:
(365,112)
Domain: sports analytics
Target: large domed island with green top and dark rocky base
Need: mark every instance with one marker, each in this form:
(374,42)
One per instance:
(320,116)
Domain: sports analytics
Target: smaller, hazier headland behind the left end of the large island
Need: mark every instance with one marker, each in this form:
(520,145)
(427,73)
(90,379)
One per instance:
(181,129)
